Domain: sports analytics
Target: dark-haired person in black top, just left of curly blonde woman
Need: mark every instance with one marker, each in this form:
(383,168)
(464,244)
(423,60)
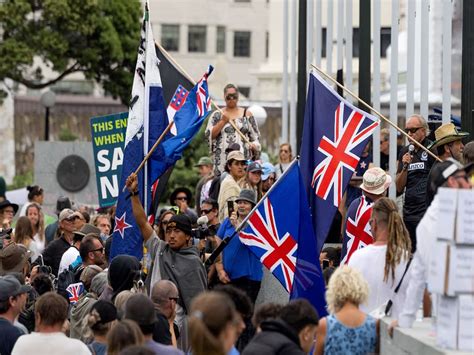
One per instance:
(293,333)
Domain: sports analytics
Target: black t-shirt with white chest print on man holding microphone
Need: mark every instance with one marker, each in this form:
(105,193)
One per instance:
(417,179)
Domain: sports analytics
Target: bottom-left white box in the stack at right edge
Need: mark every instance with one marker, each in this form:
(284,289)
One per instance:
(447,322)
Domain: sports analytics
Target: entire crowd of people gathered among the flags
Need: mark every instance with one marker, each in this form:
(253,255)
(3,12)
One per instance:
(61,292)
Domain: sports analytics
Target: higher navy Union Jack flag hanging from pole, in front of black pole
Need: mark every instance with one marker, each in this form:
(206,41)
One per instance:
(335,134)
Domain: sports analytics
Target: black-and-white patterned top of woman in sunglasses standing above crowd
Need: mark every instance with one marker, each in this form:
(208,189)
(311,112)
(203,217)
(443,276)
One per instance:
(228,135)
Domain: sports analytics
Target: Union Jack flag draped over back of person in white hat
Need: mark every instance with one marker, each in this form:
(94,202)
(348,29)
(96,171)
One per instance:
(357,232)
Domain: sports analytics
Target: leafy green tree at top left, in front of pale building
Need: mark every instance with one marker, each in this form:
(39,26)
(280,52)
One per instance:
(96,37)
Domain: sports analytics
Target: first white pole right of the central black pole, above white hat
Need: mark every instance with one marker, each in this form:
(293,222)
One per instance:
(393,93)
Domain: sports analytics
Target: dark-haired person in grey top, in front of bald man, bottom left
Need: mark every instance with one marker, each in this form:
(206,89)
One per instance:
(140,309)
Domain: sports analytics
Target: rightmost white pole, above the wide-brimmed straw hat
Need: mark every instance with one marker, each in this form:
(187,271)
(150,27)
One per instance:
(447,29)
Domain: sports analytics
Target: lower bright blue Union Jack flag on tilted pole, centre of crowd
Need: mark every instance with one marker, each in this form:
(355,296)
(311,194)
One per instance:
(280,234)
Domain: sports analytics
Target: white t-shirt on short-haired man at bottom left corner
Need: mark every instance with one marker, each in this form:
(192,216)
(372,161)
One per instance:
(49,344)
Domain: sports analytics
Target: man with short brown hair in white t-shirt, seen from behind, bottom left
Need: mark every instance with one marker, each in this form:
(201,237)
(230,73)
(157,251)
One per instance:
(50,313)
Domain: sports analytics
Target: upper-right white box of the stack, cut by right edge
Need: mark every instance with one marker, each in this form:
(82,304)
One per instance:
(465,217)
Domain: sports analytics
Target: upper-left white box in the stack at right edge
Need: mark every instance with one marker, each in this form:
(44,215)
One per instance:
(447,202)
